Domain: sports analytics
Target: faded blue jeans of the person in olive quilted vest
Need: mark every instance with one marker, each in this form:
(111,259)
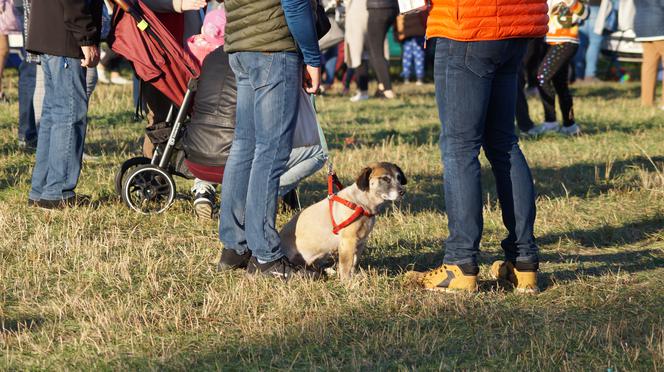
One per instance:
(268,98)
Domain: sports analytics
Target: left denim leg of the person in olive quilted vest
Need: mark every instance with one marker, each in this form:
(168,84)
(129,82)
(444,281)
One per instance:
(232,216)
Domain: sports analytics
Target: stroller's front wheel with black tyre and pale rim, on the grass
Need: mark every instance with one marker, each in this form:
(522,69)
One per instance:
(148,190)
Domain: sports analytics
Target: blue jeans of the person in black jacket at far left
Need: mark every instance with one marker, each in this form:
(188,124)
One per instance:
(61,129)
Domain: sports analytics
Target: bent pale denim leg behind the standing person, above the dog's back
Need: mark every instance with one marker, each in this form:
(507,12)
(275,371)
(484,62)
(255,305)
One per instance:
(302,163)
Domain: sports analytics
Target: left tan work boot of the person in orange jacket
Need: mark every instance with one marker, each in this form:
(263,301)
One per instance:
(448,278)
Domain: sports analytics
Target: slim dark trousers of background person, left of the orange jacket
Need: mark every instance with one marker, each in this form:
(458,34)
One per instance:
(380,20)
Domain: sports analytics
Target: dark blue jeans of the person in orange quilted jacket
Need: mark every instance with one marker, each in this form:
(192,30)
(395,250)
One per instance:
(476,87)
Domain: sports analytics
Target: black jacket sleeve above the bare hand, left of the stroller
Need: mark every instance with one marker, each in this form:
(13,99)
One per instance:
(80,21)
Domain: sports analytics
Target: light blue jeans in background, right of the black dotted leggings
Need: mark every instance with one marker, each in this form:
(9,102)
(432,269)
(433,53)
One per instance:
(589,46)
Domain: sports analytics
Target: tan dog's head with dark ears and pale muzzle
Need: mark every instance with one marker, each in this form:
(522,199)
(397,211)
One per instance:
(384,181)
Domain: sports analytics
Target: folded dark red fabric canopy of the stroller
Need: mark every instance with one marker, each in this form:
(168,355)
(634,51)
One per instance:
(155,54)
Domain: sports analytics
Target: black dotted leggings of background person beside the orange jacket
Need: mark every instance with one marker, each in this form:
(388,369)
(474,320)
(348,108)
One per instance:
(553,79)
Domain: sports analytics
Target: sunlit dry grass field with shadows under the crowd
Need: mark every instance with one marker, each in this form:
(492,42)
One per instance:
(101,287)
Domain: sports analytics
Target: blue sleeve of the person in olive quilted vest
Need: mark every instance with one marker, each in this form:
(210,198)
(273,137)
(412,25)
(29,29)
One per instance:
(300,20)
